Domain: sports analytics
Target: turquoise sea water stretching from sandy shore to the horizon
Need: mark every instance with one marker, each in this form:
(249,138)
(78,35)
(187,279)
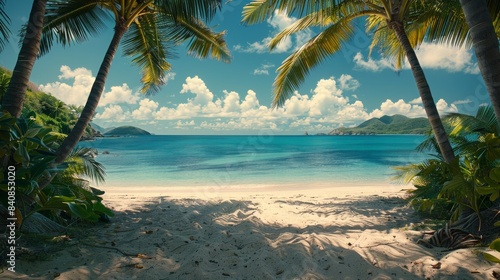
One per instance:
(162,160)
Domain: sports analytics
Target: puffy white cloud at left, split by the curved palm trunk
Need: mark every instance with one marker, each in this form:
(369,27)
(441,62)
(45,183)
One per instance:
(77,92)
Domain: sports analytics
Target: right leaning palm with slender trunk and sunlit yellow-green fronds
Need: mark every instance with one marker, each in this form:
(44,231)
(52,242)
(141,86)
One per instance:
(391,17)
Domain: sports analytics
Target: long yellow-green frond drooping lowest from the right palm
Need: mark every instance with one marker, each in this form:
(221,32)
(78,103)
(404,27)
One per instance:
(295,67)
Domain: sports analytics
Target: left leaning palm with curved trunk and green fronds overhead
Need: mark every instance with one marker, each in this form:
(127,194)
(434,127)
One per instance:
(150,28)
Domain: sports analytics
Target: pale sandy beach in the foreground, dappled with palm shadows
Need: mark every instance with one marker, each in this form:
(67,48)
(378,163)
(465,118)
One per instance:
(280,232)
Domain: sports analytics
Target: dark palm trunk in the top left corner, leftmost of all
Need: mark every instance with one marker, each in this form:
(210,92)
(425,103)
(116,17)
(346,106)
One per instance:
(16,92)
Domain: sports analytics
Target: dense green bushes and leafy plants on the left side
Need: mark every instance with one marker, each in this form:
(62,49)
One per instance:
(29,143)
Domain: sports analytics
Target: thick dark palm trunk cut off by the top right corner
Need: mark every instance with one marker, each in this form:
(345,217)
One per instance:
(485,44)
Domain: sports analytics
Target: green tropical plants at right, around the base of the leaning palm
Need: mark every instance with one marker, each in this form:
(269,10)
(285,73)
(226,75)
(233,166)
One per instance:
(466,190)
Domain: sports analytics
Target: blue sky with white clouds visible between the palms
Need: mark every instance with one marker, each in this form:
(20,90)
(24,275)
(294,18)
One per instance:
(211,97)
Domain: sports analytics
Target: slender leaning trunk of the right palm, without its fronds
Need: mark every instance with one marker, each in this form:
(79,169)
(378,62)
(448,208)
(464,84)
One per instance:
(425,93)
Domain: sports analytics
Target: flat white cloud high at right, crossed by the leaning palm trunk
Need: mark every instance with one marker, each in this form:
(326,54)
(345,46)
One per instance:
(430,56)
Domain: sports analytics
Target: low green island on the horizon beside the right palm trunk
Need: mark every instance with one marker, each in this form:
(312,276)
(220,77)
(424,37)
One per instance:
(397,124)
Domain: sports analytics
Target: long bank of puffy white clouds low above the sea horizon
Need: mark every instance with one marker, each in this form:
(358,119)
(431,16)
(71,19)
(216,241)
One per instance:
(324,108)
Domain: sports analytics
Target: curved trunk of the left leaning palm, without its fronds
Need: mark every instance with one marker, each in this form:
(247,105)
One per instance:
(93,100)
